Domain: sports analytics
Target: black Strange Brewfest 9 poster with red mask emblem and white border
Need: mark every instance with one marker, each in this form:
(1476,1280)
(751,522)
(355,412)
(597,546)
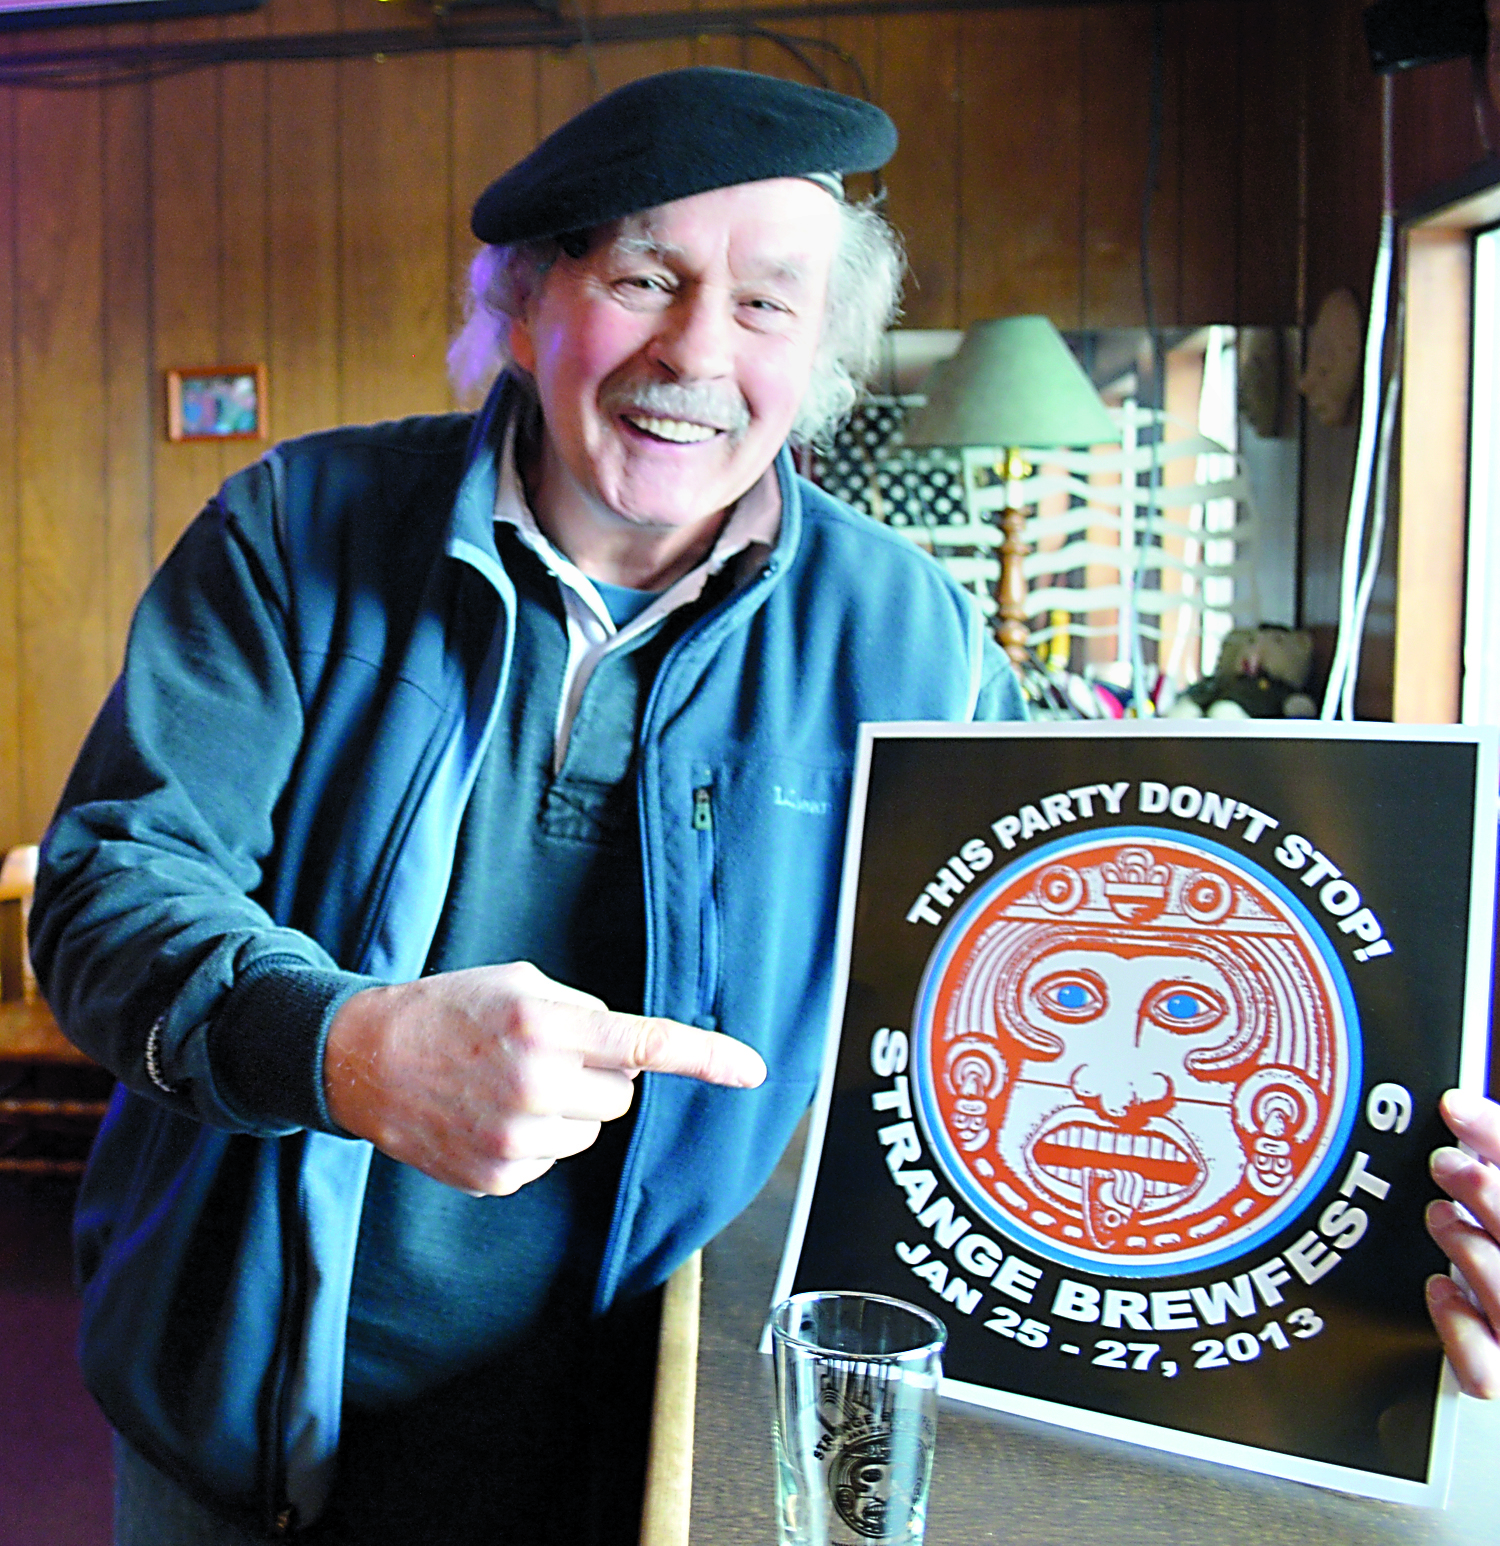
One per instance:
(1137,1047)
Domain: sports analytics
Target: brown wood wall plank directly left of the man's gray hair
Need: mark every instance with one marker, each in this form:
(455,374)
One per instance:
(394,236)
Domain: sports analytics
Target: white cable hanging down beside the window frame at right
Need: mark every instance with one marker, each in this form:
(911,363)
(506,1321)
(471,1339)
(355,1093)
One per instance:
(1357,577)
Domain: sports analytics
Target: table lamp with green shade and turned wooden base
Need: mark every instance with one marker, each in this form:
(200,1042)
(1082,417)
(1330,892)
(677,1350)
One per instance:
(1014,386)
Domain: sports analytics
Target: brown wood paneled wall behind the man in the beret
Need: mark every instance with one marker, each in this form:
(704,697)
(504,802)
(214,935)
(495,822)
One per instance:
(315,216)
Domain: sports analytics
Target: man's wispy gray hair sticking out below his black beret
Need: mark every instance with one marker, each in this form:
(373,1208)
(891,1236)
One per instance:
(864,299)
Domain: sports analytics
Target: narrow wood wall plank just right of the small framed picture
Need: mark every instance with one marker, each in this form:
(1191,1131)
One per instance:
(302,219)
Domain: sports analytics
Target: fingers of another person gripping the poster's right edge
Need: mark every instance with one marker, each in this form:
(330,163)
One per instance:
(1470,1236)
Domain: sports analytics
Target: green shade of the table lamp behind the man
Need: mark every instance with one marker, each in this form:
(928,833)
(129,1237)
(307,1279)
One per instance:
(1014,384)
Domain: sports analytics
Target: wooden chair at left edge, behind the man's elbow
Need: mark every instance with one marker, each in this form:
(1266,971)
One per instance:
(47,1086)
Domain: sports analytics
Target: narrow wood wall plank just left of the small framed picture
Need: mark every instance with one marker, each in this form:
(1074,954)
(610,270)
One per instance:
(129,378)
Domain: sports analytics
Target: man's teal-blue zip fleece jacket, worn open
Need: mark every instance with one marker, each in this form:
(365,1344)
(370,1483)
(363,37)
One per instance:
(262,823)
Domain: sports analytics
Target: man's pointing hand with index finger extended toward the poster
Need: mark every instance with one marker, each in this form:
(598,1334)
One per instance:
(485,1078)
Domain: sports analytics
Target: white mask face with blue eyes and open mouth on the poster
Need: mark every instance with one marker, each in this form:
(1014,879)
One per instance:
(1117,1128)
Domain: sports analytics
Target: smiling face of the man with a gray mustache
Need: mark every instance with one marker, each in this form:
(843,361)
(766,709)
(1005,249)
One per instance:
(670,363)
